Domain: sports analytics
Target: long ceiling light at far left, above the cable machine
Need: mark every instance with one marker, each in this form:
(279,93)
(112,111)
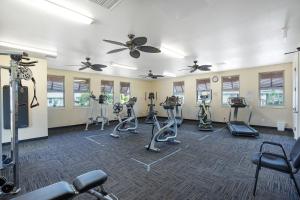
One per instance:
(46,52)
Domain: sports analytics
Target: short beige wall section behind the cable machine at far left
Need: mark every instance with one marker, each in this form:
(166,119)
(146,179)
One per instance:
(37,116)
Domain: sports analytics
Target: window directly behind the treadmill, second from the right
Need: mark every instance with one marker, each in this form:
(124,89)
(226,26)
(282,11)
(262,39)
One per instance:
(230,88)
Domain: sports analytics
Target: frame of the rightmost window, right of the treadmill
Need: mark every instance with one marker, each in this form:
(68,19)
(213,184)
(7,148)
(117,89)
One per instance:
(283,89)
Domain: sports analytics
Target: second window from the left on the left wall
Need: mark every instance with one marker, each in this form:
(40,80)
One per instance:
(81,89)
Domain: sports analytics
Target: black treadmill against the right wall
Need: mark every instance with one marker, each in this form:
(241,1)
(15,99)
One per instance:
(239,128)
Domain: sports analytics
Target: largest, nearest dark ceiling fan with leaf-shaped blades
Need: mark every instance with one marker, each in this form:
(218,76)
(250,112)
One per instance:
(135,45)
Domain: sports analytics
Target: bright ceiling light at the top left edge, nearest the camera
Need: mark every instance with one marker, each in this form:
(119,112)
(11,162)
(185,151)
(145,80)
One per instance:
(62,9)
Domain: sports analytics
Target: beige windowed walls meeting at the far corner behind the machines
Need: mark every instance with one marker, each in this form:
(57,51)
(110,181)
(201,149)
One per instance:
(267,116)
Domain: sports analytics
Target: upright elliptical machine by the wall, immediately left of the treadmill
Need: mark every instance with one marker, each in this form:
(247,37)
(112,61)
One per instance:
(204,114)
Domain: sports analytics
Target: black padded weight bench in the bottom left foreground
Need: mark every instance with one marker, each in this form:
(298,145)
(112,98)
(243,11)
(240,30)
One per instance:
(63,190)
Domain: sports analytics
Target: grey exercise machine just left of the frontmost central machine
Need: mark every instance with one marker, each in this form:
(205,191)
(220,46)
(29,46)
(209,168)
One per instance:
(130,123)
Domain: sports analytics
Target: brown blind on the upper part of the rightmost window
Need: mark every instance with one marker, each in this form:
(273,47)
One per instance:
(271,79)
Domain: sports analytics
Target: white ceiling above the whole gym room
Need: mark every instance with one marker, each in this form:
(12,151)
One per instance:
(241,33)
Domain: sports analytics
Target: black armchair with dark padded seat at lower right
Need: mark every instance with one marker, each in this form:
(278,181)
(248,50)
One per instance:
(278,162)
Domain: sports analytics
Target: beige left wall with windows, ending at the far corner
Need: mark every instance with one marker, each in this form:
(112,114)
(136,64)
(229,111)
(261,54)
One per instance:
(70,115)
